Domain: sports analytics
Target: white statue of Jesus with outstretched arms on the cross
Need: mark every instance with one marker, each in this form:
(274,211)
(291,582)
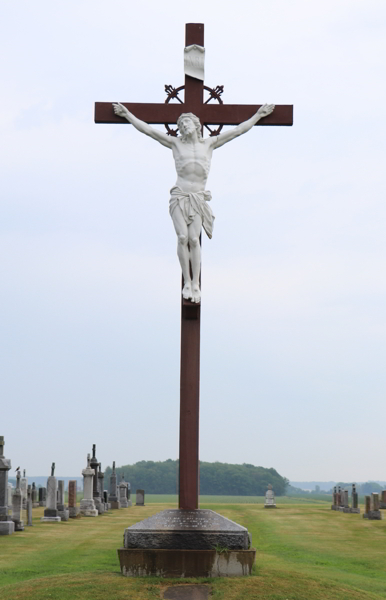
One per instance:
(188,204)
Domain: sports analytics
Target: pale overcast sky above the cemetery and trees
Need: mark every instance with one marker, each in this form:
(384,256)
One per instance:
(293,313)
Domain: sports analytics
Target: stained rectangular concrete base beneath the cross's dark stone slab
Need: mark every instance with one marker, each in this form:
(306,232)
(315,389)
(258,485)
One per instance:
(185,563)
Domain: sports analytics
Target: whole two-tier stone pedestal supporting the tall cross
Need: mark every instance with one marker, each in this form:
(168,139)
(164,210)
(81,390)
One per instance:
(181,543)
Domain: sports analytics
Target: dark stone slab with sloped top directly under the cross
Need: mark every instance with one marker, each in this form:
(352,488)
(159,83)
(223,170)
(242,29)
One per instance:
(187,529)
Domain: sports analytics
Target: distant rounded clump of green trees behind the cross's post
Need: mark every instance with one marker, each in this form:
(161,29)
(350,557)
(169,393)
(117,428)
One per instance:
(217,479)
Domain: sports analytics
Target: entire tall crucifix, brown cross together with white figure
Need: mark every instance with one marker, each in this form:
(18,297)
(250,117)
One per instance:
(190,211)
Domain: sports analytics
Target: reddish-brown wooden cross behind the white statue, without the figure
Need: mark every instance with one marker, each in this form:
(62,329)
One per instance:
(209,114)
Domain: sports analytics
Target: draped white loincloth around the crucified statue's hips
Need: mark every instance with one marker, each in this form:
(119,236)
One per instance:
(192,204)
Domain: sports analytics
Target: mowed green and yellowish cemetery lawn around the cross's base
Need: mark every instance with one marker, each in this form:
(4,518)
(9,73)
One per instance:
(305,551)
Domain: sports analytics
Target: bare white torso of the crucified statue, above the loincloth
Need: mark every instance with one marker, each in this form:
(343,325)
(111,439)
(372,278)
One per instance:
(192,162)
